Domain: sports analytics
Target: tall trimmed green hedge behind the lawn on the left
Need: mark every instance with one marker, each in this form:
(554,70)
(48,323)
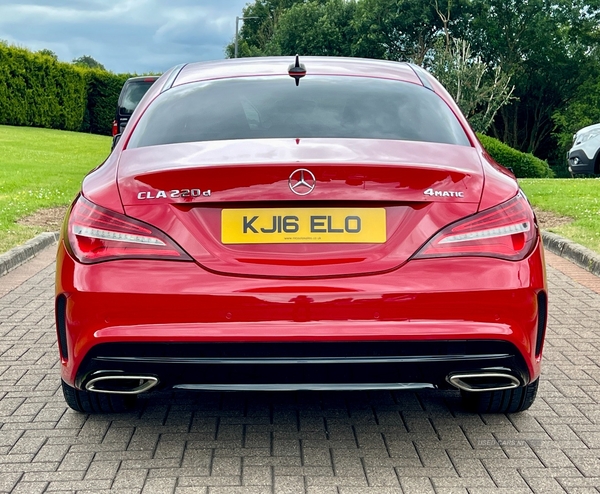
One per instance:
(36,90)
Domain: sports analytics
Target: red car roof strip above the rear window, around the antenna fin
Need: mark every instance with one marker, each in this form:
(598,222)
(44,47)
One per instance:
(269,66)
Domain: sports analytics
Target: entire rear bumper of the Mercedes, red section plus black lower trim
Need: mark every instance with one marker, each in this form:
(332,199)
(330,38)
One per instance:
(186,326)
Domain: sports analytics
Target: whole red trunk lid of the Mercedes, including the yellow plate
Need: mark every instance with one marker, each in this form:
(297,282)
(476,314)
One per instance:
(248,207)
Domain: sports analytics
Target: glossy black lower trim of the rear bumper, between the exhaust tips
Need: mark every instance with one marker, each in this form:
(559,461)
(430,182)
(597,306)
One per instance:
(293,363)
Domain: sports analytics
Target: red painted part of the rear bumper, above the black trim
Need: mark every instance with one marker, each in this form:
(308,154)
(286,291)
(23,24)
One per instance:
(423,300)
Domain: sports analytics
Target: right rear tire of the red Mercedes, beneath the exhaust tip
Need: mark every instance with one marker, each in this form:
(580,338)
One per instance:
(505,401)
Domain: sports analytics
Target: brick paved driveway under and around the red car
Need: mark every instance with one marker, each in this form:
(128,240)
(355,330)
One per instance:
(379,442)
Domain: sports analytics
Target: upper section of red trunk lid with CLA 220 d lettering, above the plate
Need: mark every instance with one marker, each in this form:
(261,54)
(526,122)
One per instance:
(401,170)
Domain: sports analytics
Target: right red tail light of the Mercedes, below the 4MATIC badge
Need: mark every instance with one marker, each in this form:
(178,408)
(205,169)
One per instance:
(507,231)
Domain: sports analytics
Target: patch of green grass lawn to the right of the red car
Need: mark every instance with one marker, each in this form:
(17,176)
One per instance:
(578,199)
